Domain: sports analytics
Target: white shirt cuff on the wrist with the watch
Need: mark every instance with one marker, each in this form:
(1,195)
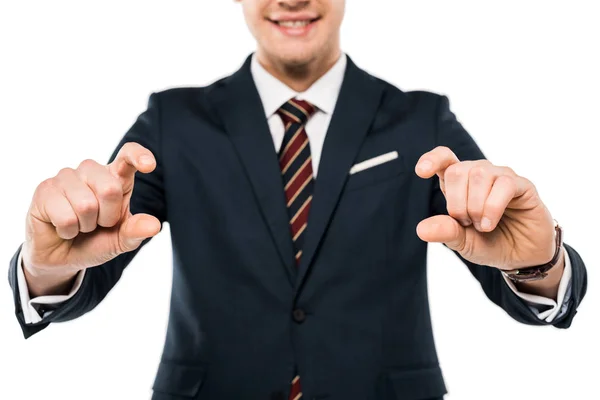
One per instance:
(545,308)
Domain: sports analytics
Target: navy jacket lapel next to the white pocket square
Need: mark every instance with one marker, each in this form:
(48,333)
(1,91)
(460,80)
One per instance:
(356,107)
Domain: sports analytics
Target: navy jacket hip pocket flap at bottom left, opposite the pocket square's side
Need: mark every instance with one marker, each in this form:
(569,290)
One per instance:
(178,379)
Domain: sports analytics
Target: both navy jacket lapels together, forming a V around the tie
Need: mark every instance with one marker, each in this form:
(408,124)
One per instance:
(238,104)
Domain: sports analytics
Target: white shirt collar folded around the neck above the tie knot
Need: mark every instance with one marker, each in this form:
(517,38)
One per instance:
(323,93)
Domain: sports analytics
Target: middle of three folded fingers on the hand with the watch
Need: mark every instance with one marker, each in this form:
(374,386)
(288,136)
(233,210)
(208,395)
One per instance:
(481,180)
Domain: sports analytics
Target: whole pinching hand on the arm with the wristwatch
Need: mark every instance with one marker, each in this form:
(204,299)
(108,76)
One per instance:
(496,217)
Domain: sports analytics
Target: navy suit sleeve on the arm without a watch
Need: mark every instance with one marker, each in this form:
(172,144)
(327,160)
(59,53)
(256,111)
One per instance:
(147,197)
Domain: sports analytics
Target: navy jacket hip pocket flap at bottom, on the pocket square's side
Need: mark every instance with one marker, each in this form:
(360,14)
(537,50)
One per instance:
(419,384)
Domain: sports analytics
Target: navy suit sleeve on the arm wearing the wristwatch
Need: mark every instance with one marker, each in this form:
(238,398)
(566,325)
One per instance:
(451,133)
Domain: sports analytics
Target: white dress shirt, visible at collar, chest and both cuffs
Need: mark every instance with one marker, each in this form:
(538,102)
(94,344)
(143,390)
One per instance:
(323,94)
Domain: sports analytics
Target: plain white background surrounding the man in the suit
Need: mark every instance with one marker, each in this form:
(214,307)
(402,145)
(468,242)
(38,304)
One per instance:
(521,75)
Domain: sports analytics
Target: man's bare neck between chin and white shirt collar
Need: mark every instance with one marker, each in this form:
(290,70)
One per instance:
(299,77)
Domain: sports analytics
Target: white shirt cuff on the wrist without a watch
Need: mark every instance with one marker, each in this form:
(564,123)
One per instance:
(30,306)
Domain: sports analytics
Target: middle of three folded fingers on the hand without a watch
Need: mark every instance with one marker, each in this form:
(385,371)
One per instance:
(80,196)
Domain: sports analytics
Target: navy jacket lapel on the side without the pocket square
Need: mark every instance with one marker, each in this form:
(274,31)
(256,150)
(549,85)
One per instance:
(238,103)
